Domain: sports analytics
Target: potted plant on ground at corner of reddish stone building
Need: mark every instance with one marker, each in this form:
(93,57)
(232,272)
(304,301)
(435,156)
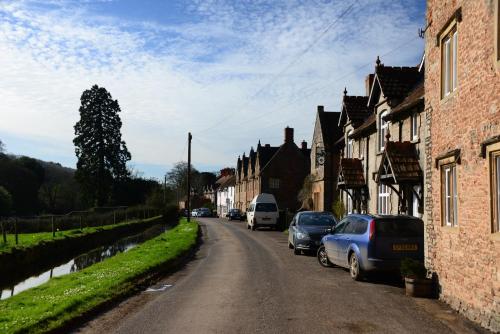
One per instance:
(416,282)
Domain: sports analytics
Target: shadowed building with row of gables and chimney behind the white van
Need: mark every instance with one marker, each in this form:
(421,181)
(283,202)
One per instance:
(275,170)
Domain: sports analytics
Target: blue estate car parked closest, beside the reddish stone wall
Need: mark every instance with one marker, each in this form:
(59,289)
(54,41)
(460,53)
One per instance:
(365,243)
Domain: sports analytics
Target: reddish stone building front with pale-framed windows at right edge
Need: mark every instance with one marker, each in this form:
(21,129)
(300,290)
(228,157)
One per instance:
(462,90)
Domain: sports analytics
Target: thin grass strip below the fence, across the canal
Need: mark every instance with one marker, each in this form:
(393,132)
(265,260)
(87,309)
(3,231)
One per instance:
(31,239)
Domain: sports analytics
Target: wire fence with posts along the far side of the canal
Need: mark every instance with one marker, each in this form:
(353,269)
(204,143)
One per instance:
(74,220)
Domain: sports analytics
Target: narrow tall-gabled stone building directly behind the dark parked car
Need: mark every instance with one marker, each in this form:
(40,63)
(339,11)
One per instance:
(325,159)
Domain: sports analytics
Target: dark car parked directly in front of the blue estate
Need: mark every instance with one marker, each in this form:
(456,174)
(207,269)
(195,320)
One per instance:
(308,228)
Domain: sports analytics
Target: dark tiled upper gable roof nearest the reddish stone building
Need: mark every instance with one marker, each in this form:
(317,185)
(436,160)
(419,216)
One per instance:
(396,82)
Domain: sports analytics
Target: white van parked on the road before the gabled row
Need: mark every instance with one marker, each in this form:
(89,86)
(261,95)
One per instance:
(263,211)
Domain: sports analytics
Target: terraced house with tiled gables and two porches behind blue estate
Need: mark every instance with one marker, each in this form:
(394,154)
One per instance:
(381,170)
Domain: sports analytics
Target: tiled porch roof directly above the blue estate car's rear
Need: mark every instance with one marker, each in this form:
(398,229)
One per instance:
(399,164)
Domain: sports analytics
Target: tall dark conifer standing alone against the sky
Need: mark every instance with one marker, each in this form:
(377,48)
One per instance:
(101,153)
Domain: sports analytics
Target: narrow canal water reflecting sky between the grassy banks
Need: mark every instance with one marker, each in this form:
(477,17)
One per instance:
(83,261)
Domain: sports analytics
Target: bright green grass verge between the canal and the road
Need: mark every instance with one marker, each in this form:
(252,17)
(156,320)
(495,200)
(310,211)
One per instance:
(56,302)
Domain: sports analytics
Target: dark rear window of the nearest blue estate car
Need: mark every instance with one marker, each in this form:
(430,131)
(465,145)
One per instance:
(410,228)
